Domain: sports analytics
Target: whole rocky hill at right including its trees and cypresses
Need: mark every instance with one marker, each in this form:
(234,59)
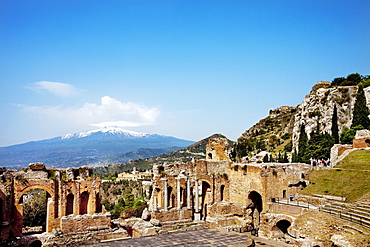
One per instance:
(313,127)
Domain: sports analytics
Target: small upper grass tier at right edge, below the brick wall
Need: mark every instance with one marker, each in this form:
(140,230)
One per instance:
(359,160)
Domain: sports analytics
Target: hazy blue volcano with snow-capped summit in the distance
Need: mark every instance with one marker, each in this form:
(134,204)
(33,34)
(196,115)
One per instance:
(88,148)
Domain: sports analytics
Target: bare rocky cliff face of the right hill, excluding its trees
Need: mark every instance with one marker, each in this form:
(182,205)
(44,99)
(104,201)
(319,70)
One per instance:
(275,132)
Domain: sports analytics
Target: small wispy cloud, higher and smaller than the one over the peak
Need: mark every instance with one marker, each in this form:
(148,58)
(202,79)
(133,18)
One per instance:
(64,90)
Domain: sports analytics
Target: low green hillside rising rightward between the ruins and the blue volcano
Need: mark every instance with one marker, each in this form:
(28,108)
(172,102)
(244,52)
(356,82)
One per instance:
(195,151)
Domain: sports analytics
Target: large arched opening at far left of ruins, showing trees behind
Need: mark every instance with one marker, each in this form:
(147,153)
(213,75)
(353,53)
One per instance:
(35,211)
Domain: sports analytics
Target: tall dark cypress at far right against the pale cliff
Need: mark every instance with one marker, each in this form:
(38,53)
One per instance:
(360,112)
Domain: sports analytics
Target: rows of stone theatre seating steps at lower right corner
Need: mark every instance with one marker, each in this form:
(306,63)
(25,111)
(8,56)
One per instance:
(357,213)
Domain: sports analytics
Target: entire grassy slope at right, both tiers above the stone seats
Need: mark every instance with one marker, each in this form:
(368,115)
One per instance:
(350,178)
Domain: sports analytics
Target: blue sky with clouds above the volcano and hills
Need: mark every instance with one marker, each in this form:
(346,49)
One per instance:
(187,69)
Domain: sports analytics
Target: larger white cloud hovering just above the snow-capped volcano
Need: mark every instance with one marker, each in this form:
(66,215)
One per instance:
(110,112)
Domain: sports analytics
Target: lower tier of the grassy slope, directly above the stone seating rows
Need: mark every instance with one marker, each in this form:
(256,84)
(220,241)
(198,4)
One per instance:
(352,184)
